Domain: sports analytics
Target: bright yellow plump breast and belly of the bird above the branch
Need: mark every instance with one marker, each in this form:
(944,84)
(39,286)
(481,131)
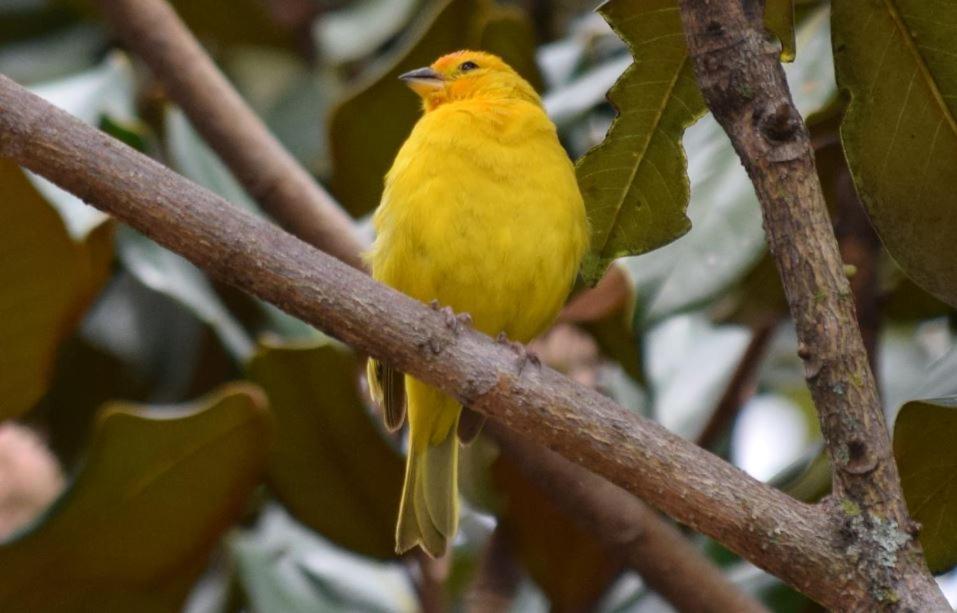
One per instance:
(481,211)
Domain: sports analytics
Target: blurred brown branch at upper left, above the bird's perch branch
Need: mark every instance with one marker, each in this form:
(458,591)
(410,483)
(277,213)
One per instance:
(267,171)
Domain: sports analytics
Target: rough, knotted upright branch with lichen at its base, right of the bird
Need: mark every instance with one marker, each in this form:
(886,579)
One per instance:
(743,82)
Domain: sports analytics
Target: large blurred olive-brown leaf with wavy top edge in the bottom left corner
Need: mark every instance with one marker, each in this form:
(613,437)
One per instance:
(133,531)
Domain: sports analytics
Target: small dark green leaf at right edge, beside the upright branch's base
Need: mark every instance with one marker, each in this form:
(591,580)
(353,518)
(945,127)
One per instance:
(924,435)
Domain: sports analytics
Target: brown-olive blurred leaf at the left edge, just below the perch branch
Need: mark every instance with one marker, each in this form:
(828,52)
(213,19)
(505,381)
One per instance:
(46,281)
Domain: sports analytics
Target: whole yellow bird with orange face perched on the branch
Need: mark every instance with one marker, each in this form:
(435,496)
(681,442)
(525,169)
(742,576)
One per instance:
(481,213)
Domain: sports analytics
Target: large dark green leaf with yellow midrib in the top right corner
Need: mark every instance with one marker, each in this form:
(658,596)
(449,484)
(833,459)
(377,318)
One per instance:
(896,60)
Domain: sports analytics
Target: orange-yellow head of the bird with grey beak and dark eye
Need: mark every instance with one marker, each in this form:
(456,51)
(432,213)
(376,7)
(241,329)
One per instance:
(467,75)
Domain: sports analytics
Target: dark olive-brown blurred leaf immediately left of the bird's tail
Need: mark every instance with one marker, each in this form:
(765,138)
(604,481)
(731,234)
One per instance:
(331,466)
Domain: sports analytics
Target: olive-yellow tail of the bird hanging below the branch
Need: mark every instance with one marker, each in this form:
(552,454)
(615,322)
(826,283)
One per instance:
(429,513)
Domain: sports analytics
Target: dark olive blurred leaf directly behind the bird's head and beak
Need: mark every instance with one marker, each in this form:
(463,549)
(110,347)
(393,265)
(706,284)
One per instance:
(369,126)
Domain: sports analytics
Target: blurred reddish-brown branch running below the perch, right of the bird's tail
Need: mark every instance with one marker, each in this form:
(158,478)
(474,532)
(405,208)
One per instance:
(658,551)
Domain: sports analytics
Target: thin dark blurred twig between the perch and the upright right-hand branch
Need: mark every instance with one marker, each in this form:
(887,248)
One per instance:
(741,385)
